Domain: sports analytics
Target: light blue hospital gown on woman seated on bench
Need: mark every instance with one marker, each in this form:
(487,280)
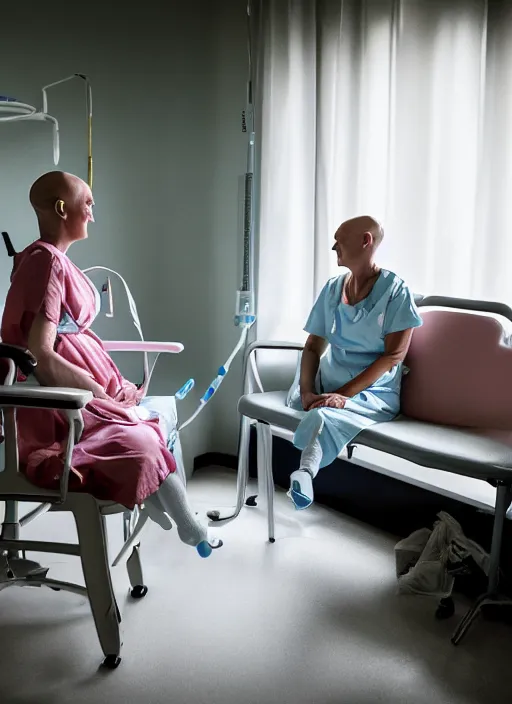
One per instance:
(356,339)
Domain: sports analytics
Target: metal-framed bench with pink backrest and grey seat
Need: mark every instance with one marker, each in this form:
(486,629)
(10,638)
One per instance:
(456,414)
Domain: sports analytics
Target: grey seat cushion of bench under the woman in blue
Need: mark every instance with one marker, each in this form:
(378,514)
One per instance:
(482,454)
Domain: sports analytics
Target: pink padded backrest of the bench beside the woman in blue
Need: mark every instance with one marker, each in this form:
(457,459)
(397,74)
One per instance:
(460,366)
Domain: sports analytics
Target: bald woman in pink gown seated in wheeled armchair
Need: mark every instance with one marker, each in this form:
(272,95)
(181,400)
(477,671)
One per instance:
(49,309)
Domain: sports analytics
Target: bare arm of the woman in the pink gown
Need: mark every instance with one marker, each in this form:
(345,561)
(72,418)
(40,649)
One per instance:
(52,369)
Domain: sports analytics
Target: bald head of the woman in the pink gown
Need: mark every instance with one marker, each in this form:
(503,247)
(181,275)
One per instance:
(62,203)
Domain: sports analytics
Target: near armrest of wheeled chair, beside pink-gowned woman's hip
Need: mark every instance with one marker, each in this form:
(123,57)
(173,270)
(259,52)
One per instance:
(51,397)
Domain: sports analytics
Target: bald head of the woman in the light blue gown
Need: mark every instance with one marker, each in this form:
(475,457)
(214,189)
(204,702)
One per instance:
(357,239)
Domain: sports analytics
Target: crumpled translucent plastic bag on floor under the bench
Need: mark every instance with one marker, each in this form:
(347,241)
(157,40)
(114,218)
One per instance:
(446,548)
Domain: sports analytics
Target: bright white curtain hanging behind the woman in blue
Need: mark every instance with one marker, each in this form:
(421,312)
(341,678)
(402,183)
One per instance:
(400,109)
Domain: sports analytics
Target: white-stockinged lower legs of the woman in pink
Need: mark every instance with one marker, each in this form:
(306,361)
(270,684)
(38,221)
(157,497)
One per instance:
(172,498)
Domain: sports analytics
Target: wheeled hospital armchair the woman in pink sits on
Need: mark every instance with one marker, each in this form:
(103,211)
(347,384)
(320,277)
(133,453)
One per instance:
(89,513)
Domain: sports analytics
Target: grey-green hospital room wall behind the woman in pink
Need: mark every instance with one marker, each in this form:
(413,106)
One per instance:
(168,90)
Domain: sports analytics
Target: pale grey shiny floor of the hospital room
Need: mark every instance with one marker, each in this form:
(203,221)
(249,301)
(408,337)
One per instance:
(313,618)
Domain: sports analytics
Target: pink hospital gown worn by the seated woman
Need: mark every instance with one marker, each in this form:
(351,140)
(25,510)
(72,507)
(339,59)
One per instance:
(119,457)
